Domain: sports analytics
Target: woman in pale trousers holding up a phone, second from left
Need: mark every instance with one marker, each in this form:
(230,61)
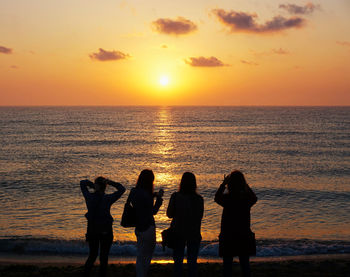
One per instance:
(142,199)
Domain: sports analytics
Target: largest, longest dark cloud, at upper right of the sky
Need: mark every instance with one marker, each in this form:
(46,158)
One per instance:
(245,22)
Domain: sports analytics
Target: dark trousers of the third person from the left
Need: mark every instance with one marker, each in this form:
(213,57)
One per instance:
(192,254)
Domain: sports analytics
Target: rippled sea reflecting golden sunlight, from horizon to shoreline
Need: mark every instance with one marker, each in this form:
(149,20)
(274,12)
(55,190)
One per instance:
(297,160)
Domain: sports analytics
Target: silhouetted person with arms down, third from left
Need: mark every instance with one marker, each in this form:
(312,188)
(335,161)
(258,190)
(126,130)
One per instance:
(186,210)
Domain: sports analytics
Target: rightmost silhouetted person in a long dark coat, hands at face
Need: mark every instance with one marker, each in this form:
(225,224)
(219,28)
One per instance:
(235,235)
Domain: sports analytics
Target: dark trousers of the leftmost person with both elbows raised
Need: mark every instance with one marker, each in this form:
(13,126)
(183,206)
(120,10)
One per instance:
(96,241)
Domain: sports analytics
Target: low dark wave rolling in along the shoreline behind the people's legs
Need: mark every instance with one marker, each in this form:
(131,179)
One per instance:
(265,248)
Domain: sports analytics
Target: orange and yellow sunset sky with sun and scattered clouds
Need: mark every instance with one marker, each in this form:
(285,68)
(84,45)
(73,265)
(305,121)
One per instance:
(199,52)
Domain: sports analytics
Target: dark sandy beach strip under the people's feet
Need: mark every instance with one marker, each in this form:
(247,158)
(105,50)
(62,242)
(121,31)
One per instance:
(318,265)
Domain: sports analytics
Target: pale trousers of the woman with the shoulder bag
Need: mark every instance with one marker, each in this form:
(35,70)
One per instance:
(146,242)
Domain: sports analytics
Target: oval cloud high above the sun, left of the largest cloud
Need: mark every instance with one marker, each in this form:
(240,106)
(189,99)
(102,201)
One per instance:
(179,26)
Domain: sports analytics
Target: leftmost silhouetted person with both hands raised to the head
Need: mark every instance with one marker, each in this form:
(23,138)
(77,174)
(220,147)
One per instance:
(99,228)
